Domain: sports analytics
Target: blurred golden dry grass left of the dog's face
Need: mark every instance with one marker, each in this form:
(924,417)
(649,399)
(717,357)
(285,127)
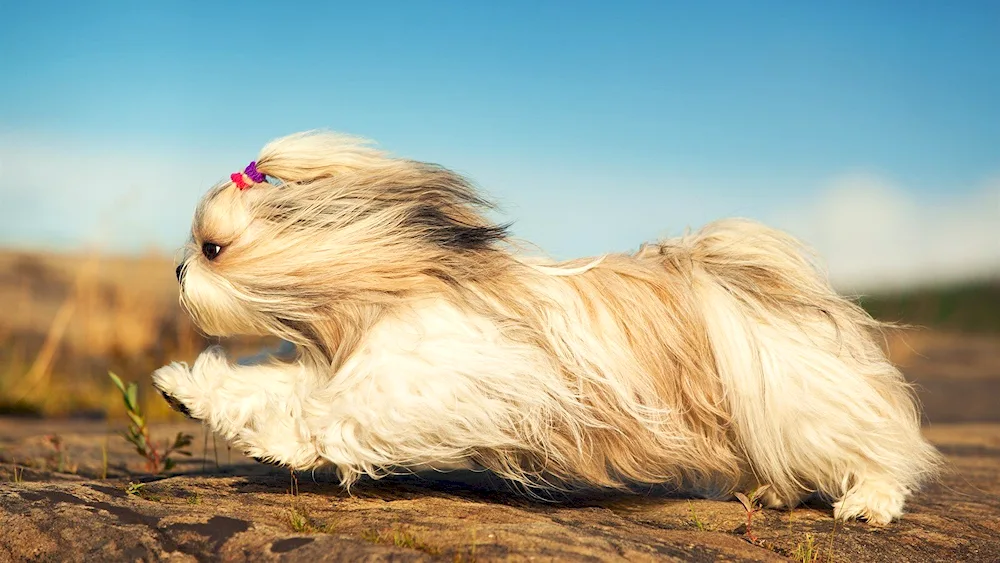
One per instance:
(69,319)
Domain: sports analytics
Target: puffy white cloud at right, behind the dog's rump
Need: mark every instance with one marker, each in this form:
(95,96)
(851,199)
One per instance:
(874,235)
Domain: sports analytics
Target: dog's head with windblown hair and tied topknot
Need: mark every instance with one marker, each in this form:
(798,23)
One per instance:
(324,230)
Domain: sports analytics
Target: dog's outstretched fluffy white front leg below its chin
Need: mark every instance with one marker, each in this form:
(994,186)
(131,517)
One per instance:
(258,408)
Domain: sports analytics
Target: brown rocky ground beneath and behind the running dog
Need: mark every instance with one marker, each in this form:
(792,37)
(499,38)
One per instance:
(75,491)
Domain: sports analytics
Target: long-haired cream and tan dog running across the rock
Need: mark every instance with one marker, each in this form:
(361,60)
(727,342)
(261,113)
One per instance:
(717,361)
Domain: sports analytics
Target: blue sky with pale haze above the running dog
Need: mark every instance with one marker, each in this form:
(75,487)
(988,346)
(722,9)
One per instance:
(595,125)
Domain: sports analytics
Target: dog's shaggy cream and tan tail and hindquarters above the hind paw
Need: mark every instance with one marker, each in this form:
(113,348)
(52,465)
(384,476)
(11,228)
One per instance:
(815,403)
